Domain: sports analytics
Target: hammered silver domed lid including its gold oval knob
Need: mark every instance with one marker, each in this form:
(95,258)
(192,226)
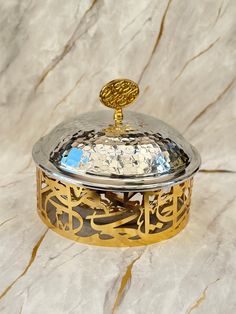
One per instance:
(138,152)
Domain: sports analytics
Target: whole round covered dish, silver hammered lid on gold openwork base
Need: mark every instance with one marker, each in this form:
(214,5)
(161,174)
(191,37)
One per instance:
(125,181)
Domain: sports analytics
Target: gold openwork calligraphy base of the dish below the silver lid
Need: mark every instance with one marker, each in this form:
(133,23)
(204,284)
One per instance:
(111,218)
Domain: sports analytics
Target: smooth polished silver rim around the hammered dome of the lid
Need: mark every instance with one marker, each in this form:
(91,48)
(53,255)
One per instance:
(115,184)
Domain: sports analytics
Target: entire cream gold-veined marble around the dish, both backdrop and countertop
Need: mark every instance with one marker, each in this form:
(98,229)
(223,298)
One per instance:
(55,56)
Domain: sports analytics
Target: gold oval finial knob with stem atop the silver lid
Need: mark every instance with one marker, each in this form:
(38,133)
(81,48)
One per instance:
(118,94)
